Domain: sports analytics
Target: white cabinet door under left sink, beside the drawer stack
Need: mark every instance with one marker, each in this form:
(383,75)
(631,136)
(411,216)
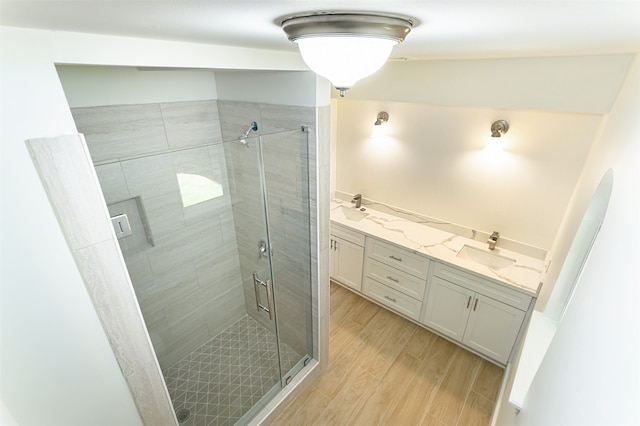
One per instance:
(346,262)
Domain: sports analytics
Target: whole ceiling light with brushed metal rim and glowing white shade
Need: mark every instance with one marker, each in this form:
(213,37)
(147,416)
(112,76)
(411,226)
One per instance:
(345,47)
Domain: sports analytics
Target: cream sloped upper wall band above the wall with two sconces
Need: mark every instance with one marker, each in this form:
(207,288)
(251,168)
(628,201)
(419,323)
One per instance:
(587,84)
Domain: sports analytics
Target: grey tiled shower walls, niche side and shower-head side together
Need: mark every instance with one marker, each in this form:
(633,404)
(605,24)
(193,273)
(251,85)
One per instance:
(187,299)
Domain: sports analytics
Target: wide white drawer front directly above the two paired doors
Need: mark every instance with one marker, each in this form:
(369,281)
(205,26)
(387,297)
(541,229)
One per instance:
(474,282)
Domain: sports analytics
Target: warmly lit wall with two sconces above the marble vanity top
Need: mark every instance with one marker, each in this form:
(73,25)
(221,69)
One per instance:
(432,161)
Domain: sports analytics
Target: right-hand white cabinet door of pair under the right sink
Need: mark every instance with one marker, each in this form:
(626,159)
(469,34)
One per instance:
(493,328)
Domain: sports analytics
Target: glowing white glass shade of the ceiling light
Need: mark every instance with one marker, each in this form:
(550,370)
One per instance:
(345,60)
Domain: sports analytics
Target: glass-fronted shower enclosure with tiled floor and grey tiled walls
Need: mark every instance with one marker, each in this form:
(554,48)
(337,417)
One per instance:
(216,238)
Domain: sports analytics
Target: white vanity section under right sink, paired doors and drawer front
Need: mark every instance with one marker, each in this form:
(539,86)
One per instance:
(479,314)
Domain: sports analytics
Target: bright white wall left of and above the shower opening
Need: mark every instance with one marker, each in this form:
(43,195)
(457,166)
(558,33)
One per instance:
(57,365)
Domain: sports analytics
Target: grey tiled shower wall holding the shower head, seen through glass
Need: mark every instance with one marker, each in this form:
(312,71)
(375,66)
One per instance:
(287,158)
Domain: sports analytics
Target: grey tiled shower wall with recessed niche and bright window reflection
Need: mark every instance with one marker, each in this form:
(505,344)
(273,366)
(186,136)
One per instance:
(183,261)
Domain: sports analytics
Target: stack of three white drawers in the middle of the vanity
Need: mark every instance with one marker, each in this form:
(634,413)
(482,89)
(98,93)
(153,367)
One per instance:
(395,277)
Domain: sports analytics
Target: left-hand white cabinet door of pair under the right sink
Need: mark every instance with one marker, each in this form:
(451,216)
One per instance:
(448,307)
